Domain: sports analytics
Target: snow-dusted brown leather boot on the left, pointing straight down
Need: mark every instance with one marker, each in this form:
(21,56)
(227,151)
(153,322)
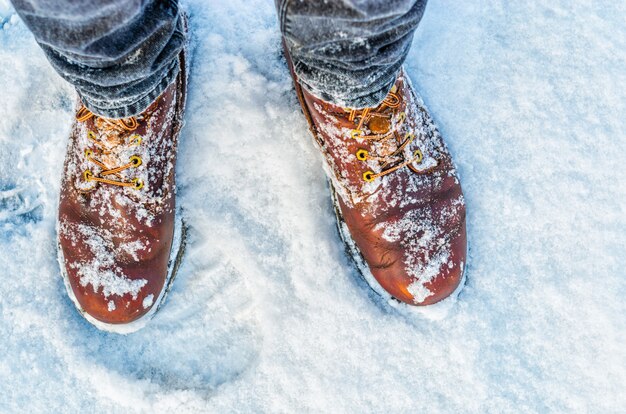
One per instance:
(119,241)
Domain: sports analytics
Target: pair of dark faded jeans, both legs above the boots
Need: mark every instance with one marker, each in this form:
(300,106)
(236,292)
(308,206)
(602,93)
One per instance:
(120,55)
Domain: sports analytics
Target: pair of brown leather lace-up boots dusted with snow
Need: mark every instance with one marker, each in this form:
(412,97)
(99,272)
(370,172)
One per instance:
(398,201)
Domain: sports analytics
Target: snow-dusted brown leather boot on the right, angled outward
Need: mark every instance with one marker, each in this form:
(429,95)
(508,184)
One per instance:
(397,197)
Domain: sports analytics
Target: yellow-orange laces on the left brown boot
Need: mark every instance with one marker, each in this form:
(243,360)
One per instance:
(116,128)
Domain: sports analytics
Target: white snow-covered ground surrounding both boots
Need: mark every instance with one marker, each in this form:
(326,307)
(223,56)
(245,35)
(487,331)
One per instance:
(267,314)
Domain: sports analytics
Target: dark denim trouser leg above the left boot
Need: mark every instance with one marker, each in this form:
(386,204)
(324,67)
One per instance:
(120,55)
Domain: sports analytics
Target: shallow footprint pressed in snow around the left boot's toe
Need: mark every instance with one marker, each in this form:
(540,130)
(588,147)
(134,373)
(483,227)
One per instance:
(205,335)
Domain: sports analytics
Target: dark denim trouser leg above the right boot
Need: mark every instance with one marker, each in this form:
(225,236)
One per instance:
(349,52)
